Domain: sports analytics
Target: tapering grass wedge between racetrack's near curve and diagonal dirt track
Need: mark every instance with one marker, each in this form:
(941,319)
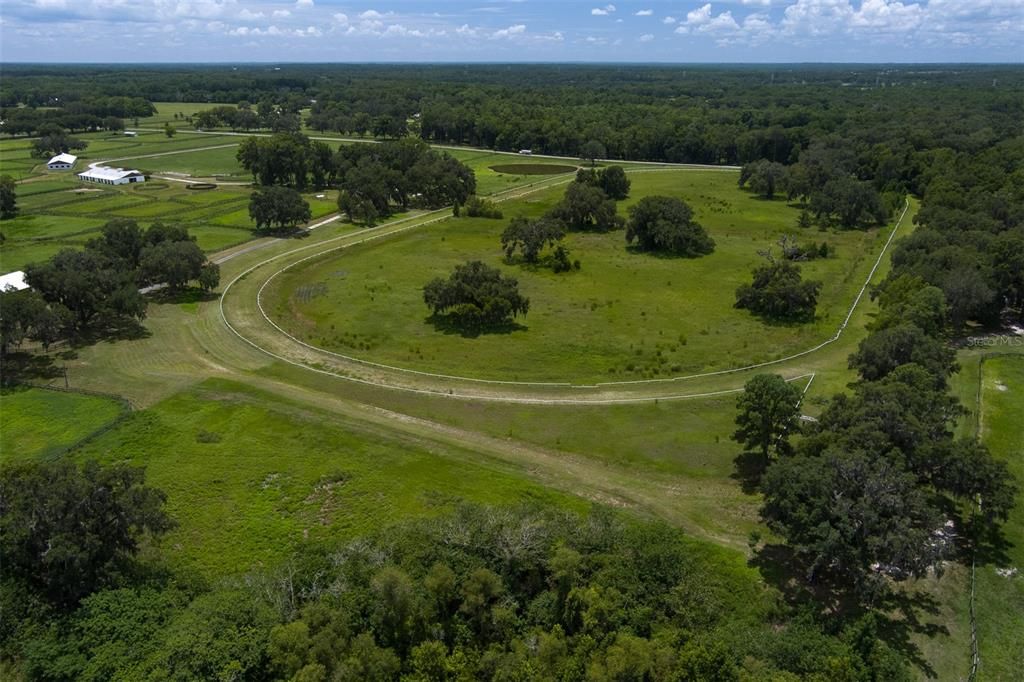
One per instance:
(673,459)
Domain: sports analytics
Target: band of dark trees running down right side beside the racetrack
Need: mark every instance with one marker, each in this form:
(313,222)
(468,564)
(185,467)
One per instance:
(913,495)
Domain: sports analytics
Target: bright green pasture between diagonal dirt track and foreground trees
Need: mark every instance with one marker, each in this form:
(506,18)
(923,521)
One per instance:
(250,477)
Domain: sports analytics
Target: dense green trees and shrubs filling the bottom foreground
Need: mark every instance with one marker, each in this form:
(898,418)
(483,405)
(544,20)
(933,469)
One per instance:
(483,593)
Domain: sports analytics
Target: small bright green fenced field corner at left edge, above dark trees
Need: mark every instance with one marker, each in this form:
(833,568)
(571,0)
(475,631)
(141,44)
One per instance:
(39,423)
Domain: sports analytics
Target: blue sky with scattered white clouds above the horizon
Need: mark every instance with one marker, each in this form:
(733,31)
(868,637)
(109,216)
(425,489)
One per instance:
(511,31)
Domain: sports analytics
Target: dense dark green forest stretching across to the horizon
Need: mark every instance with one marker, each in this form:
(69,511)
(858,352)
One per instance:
(681,114)
